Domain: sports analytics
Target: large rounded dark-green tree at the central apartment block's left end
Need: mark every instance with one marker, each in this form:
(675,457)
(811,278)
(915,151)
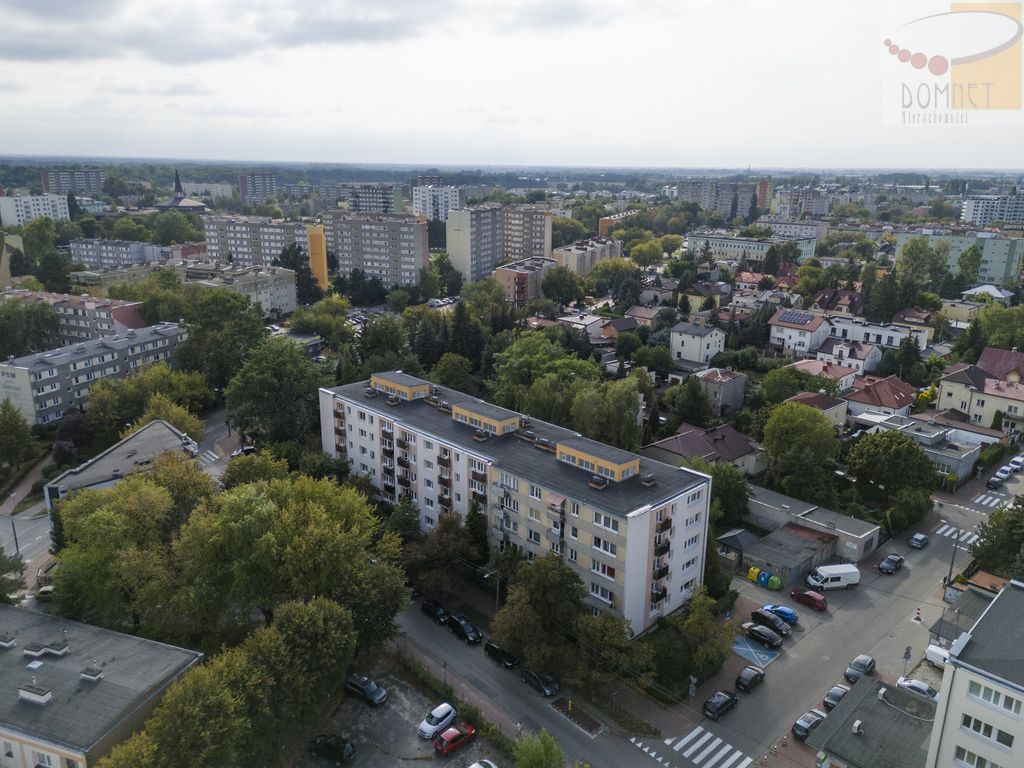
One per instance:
(276,392)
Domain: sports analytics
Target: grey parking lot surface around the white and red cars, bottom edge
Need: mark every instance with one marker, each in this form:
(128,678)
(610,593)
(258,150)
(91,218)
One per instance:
(388,737)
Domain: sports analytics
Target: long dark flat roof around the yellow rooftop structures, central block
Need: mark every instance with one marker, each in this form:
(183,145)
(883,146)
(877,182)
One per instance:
(523,457)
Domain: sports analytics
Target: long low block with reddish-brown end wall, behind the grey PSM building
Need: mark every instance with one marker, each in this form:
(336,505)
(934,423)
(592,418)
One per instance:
(81,318)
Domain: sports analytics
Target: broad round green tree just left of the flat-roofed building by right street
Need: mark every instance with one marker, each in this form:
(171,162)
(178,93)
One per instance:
(891,460)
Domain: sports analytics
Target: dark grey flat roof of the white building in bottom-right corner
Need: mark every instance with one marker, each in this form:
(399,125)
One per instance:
(995,644)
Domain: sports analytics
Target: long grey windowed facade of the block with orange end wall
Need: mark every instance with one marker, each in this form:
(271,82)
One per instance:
(251,241)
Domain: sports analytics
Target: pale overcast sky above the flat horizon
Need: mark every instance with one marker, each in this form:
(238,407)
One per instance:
(697,83)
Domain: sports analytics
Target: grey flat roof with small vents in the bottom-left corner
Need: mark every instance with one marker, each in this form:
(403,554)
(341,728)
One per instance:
(80,712)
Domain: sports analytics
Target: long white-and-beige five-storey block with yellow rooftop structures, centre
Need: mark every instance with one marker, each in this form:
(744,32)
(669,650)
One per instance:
(633,530)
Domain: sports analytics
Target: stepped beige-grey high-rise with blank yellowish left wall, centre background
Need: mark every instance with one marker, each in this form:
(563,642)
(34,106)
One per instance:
(481,238)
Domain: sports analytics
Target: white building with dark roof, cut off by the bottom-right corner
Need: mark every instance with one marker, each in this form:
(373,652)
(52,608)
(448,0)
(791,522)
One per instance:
(978,721)
